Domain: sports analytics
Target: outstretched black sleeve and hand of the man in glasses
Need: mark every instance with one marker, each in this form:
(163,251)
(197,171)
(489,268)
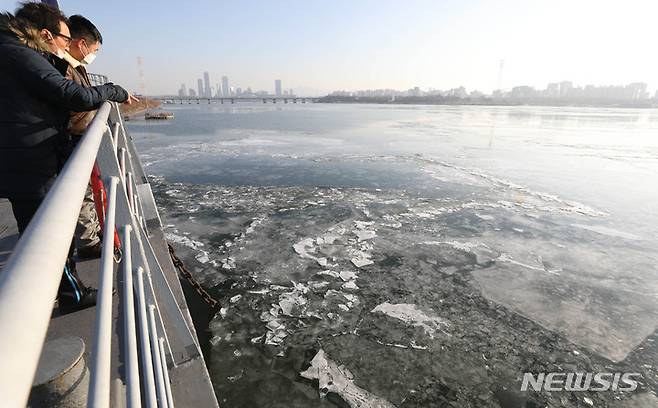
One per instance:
(41,77)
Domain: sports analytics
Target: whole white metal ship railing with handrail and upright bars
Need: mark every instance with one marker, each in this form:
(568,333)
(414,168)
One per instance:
(36,264)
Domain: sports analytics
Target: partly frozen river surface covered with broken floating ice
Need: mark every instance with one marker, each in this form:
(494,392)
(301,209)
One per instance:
(415,256)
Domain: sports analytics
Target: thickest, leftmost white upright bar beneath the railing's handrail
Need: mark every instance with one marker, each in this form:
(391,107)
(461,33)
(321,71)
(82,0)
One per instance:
(99,384)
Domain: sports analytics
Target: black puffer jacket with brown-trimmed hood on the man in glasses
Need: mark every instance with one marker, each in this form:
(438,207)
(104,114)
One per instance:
(35,104)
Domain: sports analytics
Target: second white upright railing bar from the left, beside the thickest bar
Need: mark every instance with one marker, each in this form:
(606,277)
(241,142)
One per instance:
(130,332)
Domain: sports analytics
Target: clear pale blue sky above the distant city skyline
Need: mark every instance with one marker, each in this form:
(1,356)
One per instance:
(360,44)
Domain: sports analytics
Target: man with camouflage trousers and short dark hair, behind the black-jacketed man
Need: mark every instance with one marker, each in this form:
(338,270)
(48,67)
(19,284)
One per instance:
(86,41)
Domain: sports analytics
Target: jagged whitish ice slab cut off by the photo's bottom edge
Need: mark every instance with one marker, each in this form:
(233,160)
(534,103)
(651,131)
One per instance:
(338,380)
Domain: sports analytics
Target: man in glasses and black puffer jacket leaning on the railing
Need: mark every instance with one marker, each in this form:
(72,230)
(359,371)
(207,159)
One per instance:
(35,103)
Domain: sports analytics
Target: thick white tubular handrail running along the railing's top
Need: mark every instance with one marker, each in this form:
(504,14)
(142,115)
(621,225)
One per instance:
(29,281)
